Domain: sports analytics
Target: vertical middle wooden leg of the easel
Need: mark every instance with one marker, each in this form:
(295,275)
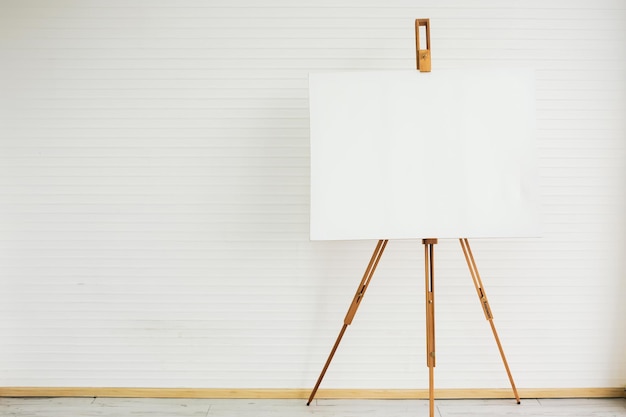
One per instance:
(429,274)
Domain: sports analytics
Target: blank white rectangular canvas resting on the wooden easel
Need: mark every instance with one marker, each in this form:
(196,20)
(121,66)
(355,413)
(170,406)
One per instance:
(403,154)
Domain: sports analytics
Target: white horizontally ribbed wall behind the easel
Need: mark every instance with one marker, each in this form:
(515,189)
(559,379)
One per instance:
(154,199)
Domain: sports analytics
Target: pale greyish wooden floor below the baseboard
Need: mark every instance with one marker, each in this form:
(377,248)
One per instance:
(139,407)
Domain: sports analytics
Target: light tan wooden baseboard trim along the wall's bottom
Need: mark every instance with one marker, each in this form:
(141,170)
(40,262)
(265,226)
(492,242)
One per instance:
(243,393)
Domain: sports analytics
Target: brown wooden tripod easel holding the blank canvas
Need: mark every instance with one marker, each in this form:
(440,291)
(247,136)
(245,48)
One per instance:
(423,59)
